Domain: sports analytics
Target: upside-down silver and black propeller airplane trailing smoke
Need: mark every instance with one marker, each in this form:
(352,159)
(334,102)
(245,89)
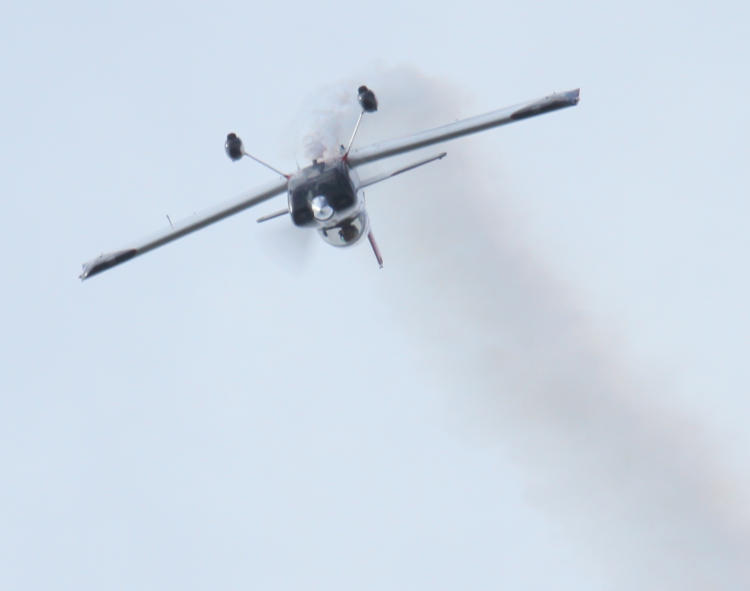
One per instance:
(327,194)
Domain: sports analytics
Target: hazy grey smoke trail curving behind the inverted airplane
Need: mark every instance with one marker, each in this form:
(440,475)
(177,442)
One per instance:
(632,481)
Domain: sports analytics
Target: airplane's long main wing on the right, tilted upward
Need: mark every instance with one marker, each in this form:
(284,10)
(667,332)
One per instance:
(518,112)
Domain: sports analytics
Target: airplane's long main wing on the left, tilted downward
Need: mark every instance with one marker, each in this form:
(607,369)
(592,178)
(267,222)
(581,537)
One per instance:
(196,222)
